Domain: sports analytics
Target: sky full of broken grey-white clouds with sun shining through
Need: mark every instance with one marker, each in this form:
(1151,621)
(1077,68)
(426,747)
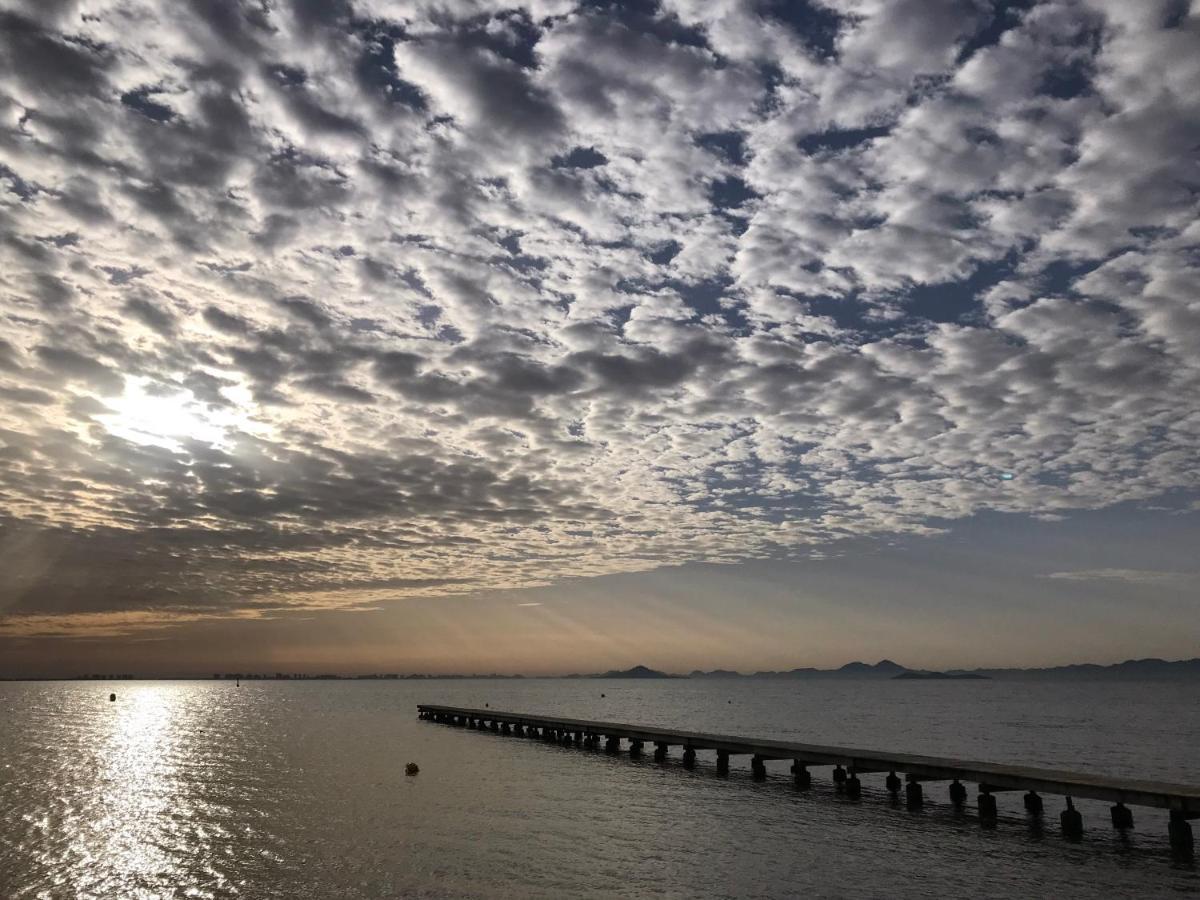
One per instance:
(364,335)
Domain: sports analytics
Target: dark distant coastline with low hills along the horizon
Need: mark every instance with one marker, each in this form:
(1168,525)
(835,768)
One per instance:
(1130,670)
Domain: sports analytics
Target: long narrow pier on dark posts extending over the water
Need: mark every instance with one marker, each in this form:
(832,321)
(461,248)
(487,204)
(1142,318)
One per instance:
(1181,801)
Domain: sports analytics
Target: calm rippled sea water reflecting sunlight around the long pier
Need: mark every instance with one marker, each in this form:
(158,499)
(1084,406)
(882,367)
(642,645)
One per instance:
(297,790)
